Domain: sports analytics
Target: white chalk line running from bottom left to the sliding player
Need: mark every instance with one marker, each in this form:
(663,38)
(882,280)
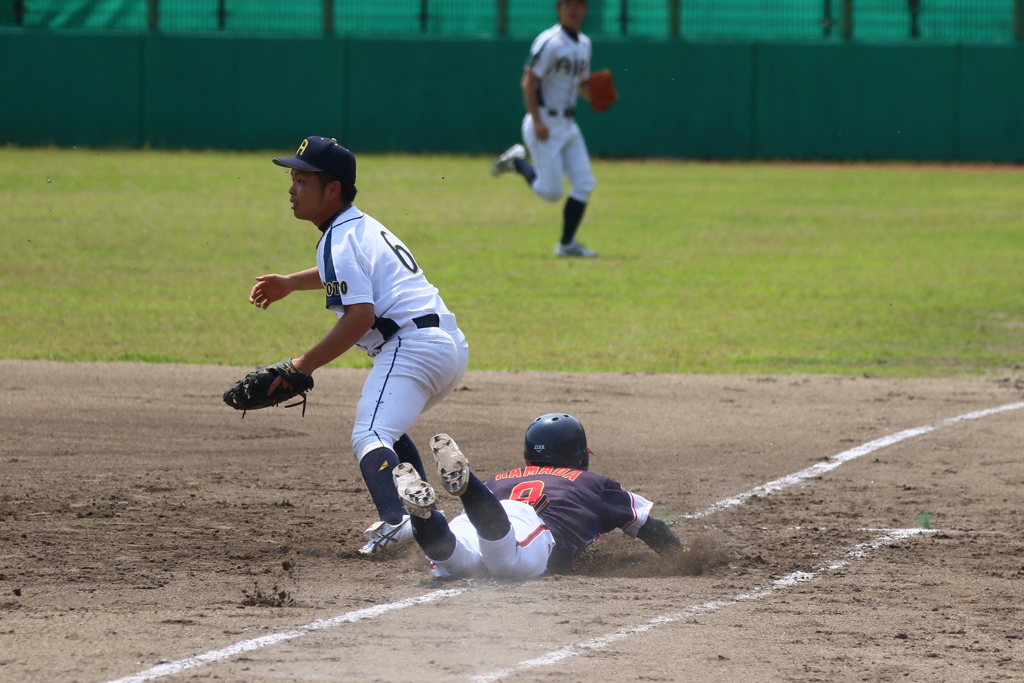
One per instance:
(170,668)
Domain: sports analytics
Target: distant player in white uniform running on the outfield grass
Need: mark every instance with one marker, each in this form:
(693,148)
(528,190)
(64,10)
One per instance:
(559,70)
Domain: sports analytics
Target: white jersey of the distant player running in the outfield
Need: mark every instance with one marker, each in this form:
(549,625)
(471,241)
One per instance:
(562,63)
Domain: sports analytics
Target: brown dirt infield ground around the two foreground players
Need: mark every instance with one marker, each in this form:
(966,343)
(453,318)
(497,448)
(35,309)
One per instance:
(145,524)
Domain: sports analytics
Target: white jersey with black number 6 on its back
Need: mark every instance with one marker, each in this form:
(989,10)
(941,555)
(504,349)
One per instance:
(361,262)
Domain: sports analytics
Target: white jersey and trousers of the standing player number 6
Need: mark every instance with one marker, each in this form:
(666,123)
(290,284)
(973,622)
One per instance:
(361,262)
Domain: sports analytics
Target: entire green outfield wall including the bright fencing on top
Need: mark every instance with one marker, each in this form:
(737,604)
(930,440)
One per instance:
(921,80)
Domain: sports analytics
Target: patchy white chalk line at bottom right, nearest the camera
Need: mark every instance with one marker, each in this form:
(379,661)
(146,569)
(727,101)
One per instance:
(789,581)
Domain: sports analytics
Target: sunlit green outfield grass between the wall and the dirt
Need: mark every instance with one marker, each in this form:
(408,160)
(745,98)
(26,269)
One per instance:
(888,270)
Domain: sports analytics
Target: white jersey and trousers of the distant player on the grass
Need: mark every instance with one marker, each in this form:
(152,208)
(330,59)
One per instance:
(562,63)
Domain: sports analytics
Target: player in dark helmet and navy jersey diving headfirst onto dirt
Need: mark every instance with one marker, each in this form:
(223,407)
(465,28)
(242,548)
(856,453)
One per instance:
(531,521)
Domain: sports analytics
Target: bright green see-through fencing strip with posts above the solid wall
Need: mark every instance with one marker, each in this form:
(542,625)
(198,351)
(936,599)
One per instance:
(961,21)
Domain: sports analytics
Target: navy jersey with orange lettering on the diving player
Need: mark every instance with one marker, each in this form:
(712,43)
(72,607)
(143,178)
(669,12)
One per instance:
(581,506)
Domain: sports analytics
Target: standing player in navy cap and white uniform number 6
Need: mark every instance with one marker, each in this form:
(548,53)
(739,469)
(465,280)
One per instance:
(386,307)
